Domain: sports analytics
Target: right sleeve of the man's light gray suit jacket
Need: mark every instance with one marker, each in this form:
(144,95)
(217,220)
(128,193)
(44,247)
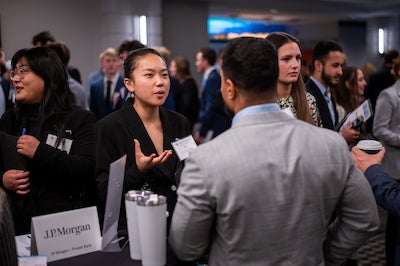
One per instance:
(357,219)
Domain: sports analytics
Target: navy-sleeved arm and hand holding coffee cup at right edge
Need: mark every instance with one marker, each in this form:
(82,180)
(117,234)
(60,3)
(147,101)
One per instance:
(387,195)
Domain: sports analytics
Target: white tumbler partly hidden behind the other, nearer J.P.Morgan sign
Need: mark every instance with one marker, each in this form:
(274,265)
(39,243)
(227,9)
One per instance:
(132,221)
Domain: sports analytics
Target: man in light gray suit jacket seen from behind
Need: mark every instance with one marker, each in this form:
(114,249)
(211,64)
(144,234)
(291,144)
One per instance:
(265,191)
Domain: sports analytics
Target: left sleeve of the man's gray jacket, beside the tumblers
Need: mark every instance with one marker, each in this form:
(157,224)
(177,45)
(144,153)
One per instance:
(193,216)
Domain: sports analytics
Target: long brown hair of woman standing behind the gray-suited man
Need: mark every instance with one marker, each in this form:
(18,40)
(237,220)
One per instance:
(299,92)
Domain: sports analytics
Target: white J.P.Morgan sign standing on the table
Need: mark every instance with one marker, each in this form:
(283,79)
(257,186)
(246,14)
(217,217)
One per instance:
(66,234)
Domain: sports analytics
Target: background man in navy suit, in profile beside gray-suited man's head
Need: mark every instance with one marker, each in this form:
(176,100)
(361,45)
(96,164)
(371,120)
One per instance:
(209,119)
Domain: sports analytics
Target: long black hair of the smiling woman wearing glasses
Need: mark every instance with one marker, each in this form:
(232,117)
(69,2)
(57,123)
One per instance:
(57,98)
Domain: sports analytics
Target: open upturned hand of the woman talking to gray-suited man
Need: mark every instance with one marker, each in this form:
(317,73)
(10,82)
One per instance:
(145,163)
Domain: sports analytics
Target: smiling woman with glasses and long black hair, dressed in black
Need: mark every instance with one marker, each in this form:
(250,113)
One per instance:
(55,137)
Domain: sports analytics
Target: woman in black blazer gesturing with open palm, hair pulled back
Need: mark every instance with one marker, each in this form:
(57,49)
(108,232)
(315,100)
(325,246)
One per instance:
(143,130)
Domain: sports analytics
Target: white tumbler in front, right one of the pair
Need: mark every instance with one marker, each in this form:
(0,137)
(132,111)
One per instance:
(152,220)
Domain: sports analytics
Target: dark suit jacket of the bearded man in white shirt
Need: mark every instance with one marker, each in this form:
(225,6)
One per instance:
(322,106)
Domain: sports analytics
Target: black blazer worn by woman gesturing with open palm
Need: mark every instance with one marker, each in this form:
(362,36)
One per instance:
(114,138)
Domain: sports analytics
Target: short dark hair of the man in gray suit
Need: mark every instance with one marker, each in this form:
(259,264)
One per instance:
(251,63)
